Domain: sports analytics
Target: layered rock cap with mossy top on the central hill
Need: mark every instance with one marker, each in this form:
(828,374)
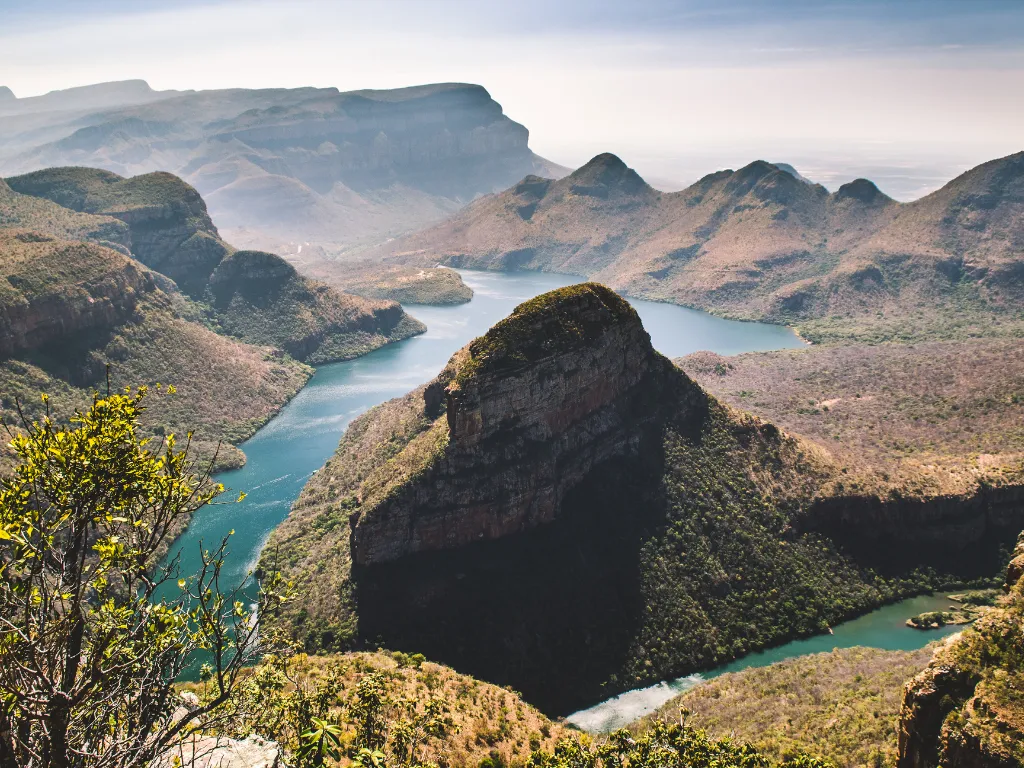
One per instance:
(565,385)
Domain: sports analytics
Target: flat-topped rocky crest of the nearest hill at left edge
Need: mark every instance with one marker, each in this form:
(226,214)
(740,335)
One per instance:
(56,292)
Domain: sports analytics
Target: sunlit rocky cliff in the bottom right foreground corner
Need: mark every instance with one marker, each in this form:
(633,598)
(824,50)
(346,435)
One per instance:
(966,710)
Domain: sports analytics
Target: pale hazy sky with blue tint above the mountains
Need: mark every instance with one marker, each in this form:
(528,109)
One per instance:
(908,93)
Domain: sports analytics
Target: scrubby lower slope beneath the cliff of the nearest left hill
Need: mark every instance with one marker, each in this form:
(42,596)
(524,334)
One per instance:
(227,391)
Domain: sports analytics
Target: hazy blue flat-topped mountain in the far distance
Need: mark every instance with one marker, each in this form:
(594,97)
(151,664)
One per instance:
(281,166)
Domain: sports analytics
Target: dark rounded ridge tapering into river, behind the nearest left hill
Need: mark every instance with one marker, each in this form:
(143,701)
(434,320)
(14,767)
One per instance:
(258,297)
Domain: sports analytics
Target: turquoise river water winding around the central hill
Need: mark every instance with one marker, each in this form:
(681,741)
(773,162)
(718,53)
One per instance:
(283,455)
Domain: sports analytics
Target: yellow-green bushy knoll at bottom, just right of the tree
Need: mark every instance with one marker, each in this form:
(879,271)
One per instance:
(405,709)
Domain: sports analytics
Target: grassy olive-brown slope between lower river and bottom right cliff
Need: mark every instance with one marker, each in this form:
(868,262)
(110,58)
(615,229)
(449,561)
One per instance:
(842,706)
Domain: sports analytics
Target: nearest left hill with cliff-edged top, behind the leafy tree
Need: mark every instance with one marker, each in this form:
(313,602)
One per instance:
(68,309)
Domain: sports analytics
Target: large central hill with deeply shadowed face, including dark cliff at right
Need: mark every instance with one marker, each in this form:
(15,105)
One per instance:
(564,510)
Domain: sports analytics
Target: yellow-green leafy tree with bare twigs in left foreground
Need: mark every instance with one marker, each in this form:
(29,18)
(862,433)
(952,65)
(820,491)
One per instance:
(89,655)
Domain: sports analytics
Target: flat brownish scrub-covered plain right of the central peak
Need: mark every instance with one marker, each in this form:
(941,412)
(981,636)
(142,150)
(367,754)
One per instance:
(938,417)
